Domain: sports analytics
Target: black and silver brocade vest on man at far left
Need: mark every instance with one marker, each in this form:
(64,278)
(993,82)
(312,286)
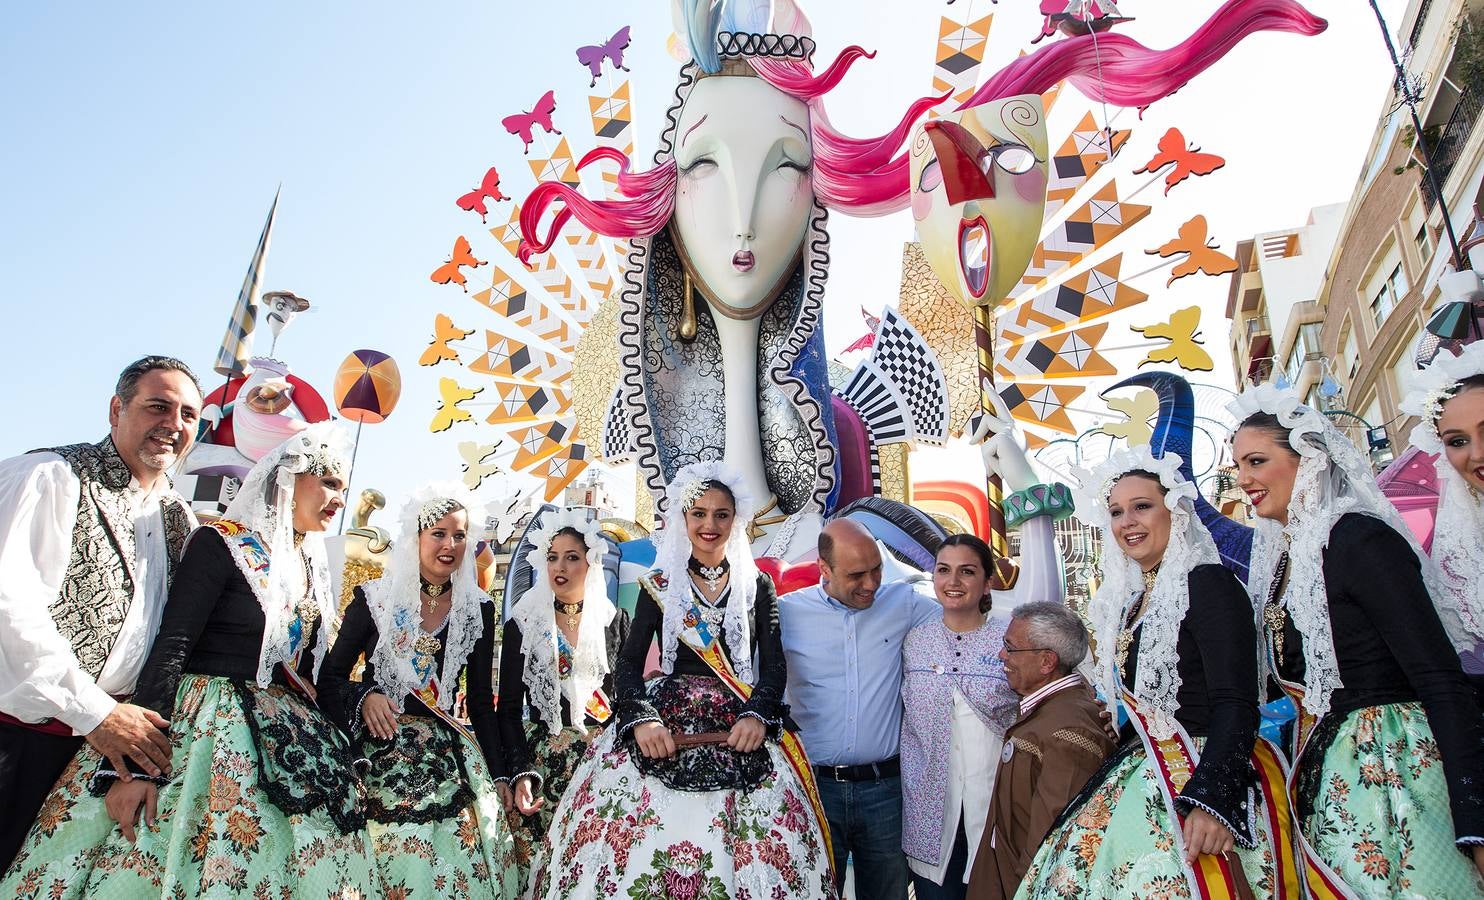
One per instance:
(99,586)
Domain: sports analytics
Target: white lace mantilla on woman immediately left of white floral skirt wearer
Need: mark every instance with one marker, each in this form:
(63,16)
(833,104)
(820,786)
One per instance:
(535,613)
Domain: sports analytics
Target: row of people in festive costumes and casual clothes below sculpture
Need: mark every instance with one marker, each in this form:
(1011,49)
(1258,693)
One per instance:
(185,711)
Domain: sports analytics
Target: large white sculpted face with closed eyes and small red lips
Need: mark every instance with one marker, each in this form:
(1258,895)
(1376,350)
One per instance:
(744,192)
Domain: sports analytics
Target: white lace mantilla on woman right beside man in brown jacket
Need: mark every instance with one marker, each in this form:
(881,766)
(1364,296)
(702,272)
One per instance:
(1158,681)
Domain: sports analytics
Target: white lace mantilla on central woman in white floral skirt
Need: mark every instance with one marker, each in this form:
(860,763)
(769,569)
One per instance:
(673,558)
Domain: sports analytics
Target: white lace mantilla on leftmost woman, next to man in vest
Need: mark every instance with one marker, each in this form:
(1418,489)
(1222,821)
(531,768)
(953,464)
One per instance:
(265,504)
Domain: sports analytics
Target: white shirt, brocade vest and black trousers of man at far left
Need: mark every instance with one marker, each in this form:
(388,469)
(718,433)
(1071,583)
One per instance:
(87,558)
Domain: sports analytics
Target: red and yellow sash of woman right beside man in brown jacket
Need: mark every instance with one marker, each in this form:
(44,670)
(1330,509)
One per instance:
(1218,877)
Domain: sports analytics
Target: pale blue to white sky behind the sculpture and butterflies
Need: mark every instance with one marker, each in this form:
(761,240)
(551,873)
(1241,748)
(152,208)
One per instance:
(142,148)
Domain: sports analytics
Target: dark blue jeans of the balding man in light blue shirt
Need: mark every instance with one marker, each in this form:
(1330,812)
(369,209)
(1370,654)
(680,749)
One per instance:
(866,826)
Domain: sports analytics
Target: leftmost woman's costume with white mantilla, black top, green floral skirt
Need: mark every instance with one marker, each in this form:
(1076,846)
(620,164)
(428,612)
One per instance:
(260,798)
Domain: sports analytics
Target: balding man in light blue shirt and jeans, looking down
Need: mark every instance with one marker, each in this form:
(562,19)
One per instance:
(844,642)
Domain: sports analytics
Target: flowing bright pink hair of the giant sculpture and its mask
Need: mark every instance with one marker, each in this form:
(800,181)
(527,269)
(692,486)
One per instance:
(870,176)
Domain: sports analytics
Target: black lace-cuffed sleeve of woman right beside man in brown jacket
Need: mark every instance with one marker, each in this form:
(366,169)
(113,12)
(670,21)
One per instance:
(1221,622)
